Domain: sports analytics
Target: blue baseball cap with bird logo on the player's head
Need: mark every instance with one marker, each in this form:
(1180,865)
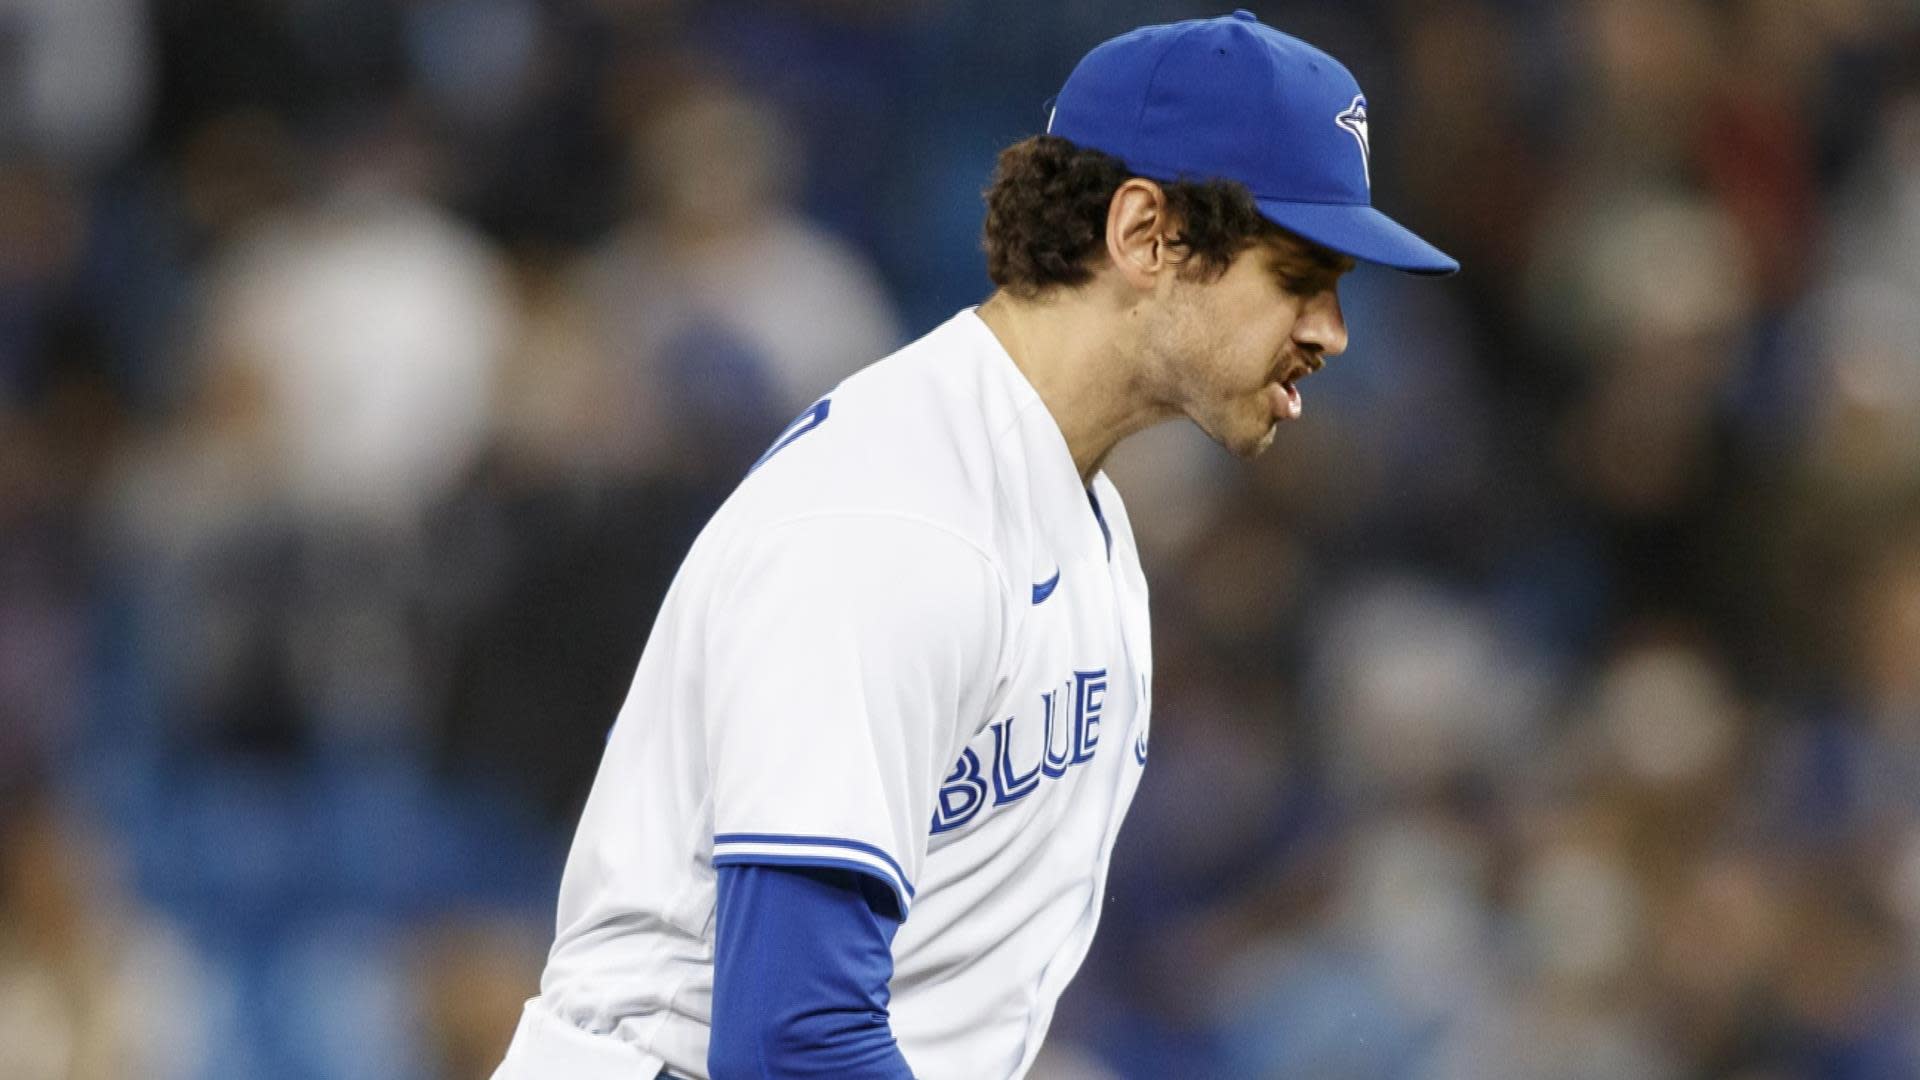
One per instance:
(1239,101)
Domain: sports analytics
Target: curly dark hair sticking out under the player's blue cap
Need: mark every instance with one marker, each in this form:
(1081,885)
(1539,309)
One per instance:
(1047,216)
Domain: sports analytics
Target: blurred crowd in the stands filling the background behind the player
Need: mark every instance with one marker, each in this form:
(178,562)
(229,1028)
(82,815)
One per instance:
(1545,706)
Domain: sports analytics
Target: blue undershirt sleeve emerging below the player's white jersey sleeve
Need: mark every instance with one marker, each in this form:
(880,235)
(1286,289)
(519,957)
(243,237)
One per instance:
(802,968)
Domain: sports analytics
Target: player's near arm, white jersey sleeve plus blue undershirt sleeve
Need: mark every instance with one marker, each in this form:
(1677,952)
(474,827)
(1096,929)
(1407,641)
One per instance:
(848,662)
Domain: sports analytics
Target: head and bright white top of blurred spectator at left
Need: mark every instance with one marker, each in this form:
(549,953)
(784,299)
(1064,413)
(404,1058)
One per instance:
(373,326)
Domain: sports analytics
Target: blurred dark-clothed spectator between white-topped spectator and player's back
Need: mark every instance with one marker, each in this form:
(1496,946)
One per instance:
(554,556)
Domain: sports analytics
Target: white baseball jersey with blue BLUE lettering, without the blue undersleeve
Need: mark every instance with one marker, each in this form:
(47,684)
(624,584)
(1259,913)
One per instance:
(913,643)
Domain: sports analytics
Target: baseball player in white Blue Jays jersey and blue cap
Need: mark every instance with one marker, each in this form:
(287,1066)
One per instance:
(855,816)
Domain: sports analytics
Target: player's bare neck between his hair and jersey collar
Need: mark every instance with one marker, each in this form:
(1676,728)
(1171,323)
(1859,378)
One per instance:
(1078,360)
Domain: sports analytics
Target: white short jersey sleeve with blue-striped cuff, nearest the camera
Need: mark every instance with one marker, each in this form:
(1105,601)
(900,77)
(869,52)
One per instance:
(850,658)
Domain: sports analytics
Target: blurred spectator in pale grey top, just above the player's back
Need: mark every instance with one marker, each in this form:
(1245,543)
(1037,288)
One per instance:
(727,308)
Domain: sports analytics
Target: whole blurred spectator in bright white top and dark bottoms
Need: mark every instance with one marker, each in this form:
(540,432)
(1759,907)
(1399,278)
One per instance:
(350,351)
